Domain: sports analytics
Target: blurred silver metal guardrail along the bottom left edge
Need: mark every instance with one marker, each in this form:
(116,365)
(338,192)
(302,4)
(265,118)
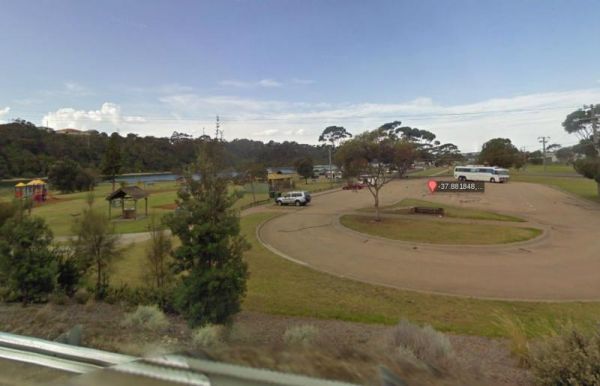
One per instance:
(97,367)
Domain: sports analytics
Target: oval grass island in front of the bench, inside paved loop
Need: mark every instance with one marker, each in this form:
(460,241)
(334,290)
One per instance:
(438,231)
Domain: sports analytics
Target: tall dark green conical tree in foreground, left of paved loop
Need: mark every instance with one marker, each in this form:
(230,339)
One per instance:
(211,252)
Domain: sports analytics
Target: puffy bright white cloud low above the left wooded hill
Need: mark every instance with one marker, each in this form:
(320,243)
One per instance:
(108,116)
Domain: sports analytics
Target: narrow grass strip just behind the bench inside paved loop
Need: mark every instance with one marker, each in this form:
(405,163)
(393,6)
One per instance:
(449,211)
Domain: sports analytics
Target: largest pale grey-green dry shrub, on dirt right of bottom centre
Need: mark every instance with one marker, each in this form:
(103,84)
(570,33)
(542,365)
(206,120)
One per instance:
(425,343)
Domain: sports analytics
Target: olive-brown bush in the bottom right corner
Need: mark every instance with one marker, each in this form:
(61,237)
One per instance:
(572,358)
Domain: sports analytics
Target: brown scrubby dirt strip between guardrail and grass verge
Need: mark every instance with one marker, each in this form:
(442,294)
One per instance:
(343,350)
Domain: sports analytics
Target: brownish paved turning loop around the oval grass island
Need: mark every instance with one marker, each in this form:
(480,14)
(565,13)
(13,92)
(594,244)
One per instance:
(564,264)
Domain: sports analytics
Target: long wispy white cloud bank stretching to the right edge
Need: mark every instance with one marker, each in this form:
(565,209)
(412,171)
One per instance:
(522,118)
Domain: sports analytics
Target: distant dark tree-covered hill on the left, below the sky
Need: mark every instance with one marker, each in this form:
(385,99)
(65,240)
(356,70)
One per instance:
(28,151)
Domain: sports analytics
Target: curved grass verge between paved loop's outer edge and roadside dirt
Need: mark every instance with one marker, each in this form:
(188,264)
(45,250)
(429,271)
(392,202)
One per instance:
(278,286)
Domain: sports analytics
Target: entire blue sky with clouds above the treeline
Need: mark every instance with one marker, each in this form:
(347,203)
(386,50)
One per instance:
(281,70)
